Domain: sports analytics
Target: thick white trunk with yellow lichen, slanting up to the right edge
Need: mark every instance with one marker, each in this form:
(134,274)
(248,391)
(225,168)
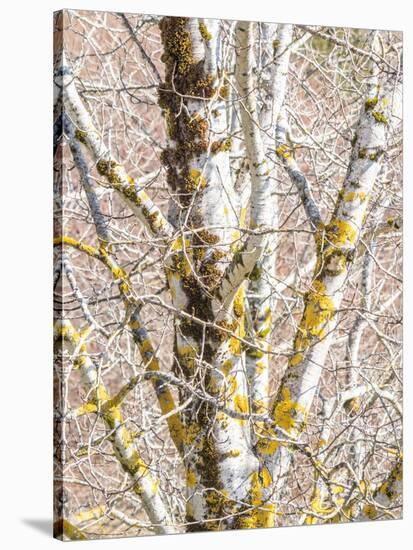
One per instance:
(337,243)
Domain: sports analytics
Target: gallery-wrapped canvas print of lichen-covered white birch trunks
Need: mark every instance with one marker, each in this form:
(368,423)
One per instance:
(227,275)
